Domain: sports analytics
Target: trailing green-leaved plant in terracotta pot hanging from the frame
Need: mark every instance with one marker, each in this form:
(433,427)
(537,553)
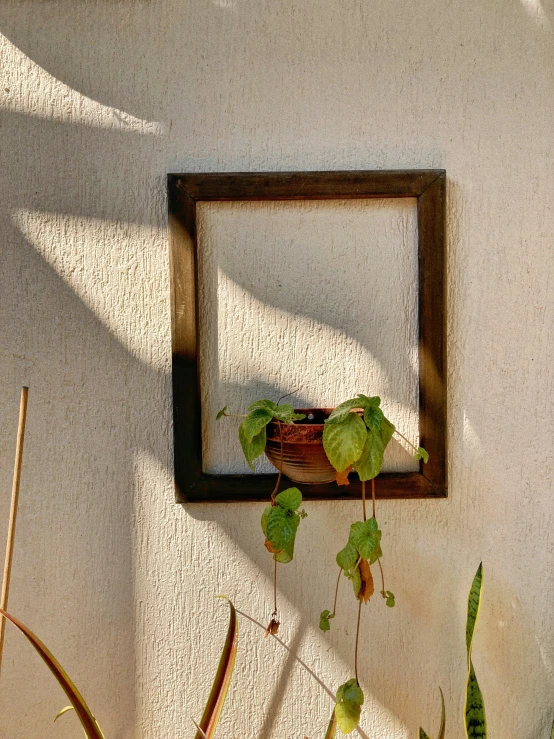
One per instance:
(352,437)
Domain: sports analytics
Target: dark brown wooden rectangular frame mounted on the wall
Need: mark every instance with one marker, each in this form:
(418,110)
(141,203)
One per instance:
(184,192)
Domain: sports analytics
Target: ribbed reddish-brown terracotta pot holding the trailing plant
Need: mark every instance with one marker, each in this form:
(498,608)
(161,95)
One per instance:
(304,459)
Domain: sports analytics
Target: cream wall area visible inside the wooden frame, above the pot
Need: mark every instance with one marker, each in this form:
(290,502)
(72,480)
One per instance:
(314,298)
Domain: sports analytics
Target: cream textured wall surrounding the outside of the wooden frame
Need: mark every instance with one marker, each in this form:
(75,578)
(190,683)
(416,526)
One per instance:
(99,99)
